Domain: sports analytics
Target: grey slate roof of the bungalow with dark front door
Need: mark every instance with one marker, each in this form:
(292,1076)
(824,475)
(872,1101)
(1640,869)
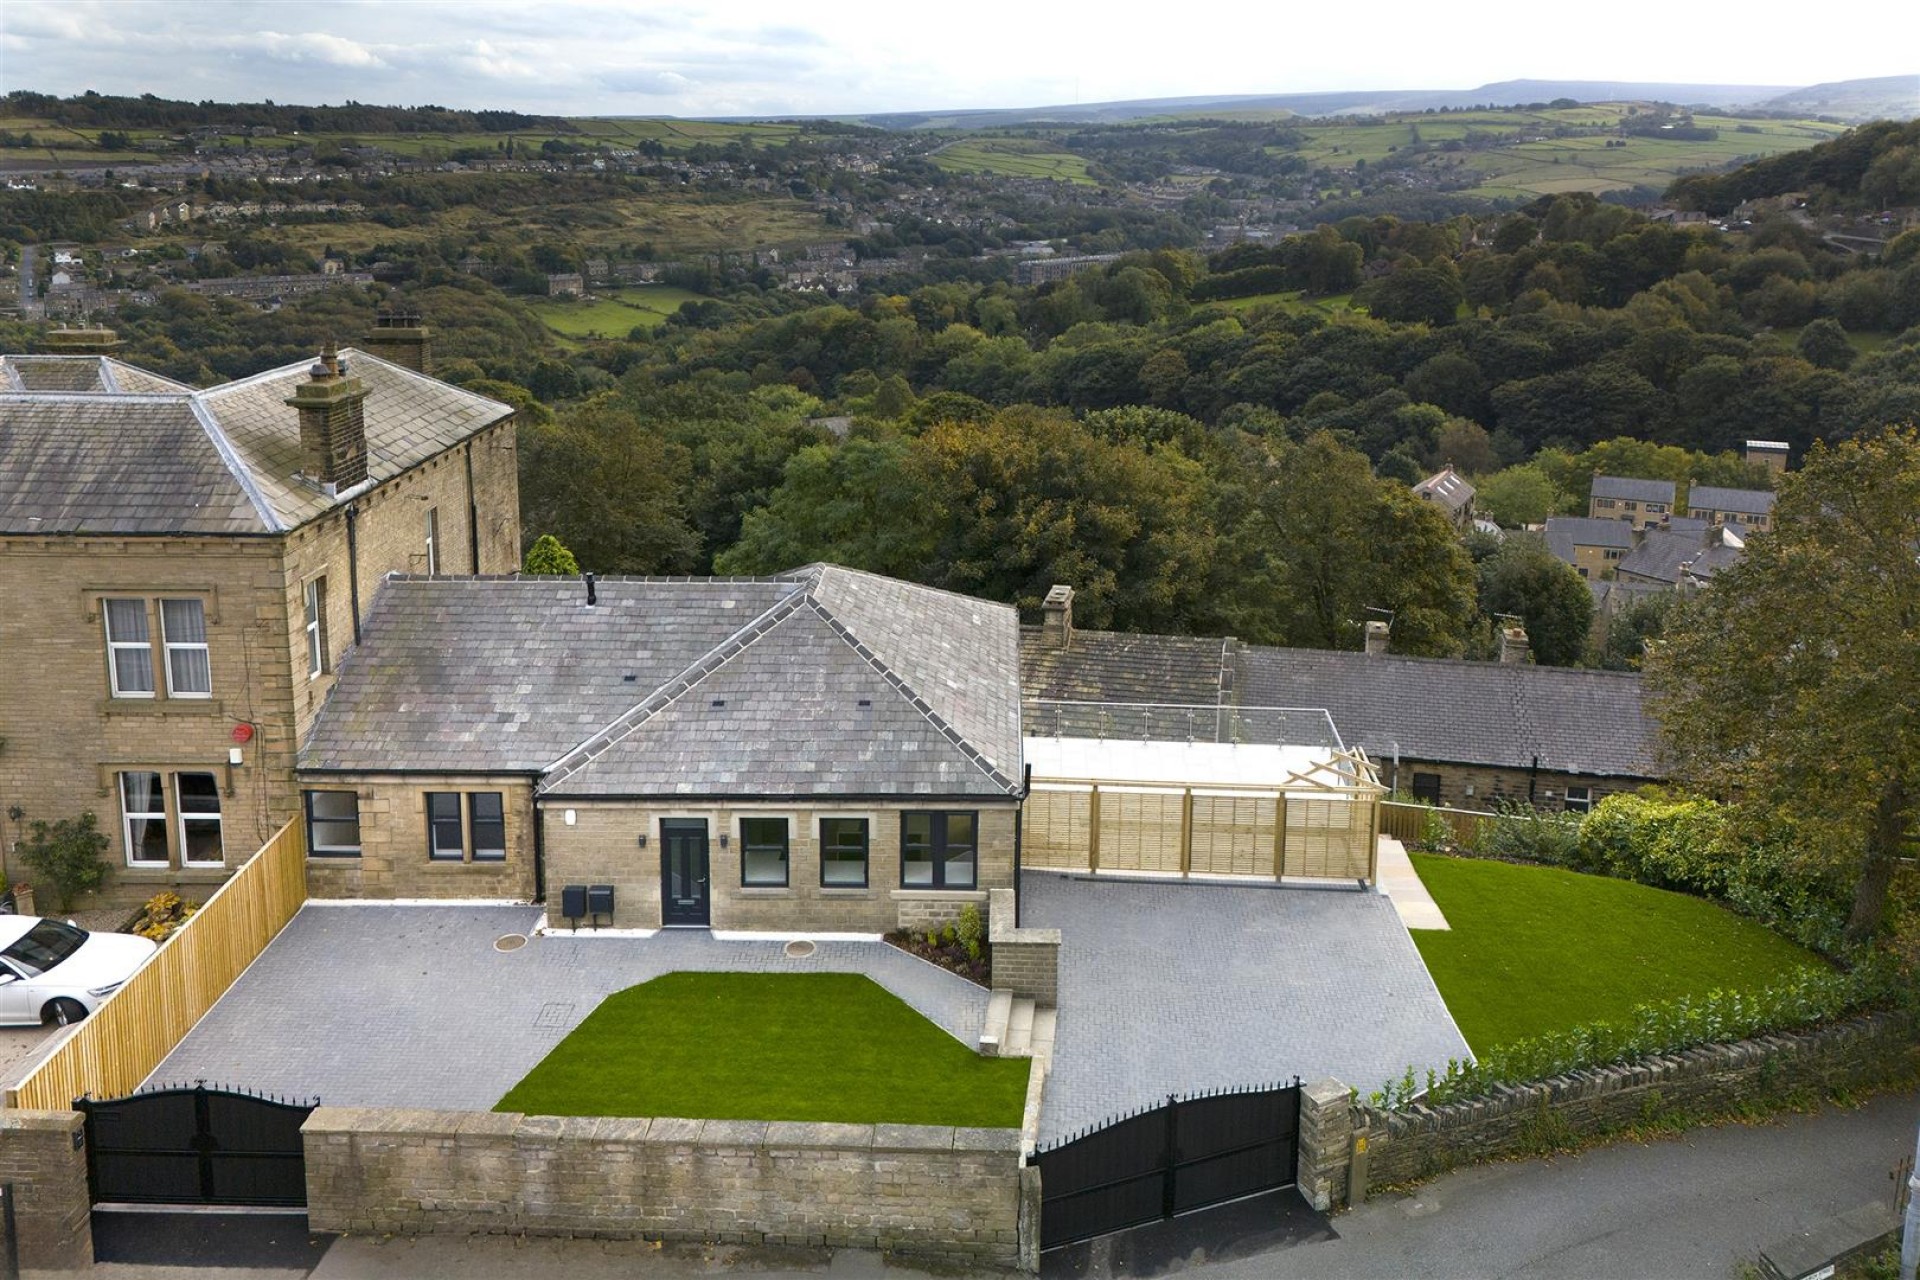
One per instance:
(708,686)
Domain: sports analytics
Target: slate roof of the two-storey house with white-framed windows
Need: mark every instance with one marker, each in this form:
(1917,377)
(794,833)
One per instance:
(95,446)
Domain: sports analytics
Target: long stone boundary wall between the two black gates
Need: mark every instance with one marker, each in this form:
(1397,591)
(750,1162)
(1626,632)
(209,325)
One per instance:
(948,1195)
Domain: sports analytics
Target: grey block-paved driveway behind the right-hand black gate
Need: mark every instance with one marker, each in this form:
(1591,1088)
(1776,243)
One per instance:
(1180,987)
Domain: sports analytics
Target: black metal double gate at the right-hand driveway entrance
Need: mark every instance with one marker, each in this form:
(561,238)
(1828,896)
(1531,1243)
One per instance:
(1186,1154)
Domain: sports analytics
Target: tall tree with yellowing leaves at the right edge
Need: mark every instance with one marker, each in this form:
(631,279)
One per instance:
(1792,686)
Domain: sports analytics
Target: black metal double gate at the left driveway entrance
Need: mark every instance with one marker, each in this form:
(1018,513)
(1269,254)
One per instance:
(197,1147)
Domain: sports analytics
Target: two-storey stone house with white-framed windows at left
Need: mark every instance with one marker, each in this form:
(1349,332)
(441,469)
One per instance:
(181,573)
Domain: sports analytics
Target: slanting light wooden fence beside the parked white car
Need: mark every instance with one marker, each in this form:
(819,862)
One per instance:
(143,1022)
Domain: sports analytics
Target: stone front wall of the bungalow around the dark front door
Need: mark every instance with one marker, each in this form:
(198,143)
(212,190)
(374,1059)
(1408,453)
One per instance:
(600,843)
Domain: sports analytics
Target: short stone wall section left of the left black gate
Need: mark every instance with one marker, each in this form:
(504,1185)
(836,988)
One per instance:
(43,1160)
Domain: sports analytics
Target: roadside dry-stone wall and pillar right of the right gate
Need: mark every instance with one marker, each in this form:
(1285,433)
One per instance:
(1706,1081)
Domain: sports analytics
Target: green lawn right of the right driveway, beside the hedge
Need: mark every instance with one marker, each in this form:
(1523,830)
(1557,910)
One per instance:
(1539,949)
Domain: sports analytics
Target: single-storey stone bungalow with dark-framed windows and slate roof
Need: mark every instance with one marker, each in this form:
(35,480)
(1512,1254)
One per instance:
(819,751)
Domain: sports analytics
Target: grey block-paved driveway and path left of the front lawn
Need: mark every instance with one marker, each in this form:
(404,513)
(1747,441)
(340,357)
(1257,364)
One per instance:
(410,1007)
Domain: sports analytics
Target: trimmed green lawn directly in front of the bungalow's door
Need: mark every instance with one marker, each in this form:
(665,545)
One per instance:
(771,1047)
